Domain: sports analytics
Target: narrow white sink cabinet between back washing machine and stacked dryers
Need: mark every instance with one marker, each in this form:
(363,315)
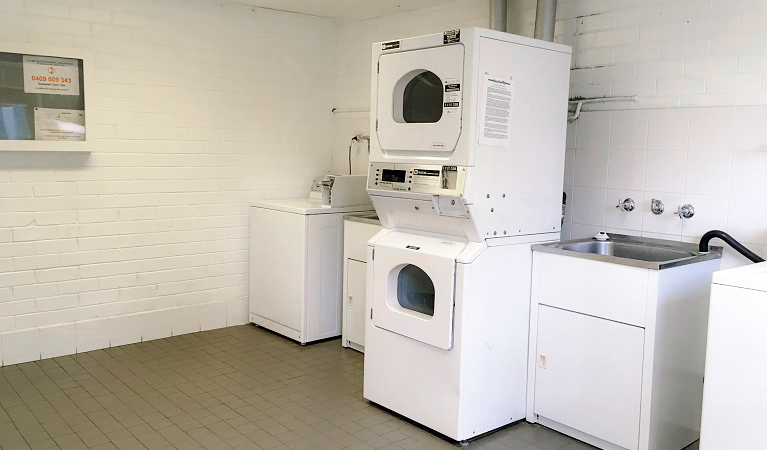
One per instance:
(358,229)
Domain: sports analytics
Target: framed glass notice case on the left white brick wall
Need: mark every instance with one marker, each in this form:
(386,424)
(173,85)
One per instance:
(45,98)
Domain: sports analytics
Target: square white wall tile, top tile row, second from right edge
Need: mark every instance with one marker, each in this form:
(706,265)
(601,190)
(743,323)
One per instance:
(711,129)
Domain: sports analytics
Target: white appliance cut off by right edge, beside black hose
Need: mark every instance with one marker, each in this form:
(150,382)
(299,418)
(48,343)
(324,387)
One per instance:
(735,391)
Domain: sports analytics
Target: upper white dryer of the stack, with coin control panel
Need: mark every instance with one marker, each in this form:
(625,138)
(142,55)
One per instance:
(470,124)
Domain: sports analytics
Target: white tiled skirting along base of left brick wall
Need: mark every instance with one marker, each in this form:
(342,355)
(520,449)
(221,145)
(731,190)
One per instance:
(32,344)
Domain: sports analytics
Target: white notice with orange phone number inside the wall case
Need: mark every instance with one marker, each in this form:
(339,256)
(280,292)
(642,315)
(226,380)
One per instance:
(39,78)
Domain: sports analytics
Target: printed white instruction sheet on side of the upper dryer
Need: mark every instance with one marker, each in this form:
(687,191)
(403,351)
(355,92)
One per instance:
(495,113)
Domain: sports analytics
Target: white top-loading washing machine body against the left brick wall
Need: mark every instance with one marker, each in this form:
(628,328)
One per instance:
(296,250)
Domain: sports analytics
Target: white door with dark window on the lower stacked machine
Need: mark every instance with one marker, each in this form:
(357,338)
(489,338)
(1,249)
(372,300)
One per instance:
(413,291)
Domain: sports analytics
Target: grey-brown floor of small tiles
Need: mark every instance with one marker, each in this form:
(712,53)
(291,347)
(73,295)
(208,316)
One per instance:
(238,387)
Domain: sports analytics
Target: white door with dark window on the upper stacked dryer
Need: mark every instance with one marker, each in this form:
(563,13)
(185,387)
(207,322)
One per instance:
(419,101)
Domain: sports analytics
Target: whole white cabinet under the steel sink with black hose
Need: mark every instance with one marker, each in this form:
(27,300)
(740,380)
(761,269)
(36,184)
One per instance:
(617,352)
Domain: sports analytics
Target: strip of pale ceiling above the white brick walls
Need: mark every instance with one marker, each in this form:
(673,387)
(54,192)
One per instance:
(342,9)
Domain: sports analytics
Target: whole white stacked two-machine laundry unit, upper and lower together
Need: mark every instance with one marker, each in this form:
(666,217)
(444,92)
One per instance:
(466,172)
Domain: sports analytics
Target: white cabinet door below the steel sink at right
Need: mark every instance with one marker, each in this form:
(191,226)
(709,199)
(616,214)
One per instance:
(589,374)
